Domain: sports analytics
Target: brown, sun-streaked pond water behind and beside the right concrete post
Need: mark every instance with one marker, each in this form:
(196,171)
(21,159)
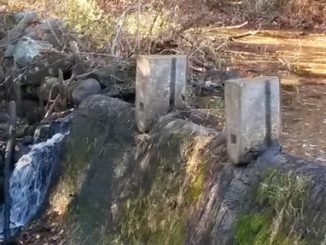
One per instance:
(298,59)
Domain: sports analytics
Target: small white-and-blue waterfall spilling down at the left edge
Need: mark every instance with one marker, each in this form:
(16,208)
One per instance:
(30,180)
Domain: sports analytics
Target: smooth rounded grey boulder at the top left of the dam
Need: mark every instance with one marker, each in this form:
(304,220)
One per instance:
(85,88)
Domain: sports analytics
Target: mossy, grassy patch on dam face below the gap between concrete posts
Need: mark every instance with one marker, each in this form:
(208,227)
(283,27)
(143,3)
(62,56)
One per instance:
(158,215)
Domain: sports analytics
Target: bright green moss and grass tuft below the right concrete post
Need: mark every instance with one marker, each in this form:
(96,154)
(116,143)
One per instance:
(281,198)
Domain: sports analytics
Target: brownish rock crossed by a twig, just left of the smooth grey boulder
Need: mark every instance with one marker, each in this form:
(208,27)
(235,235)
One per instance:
(50,86)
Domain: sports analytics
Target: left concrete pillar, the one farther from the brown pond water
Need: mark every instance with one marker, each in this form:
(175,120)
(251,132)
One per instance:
(160,87)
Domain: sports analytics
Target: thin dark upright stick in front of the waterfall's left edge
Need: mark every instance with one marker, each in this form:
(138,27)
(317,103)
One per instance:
(8,161)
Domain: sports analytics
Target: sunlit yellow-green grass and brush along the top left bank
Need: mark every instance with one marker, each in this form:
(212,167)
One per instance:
(118,26)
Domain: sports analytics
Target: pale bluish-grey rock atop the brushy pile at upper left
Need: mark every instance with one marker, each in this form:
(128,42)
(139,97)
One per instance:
(27,49)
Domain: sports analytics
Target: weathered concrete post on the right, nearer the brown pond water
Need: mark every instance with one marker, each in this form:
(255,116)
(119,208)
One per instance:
(253,116)
